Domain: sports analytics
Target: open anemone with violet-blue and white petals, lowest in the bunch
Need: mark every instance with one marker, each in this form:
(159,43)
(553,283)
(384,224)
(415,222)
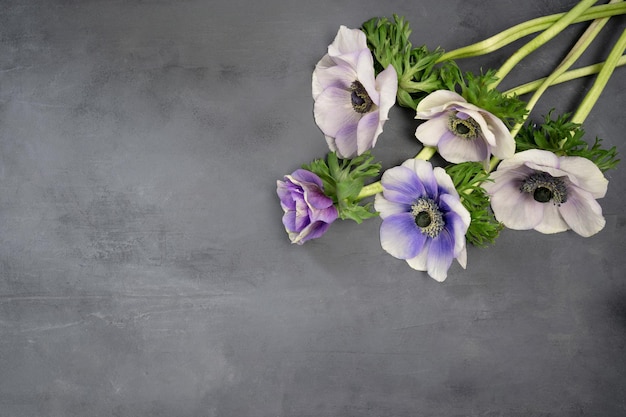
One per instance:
(424,221)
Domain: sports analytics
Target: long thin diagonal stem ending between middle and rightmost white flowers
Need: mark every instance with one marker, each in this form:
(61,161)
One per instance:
(577,50)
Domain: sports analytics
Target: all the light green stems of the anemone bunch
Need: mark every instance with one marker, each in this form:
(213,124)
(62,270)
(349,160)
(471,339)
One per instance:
(549,27)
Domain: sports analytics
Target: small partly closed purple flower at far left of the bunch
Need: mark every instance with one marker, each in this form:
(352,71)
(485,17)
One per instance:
(308,211)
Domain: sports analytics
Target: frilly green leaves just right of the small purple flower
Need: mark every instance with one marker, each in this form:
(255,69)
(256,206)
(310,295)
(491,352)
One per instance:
(343,180)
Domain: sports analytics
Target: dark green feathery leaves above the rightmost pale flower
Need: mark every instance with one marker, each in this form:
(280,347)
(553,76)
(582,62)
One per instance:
(565,138)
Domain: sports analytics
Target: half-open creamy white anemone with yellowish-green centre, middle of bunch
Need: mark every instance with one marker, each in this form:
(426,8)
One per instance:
(461,131)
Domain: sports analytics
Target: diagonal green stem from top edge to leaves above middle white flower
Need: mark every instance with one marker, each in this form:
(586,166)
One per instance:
(556,28)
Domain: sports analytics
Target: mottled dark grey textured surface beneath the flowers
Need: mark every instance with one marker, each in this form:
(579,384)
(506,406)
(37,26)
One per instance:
(144,270)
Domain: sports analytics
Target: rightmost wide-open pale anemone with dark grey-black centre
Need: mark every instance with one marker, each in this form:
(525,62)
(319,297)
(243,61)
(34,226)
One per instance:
(539,190)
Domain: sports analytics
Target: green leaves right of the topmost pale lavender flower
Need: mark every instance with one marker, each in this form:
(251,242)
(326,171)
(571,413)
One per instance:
(419,73)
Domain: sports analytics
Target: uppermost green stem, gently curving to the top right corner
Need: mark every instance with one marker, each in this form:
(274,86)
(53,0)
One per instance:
(526,28)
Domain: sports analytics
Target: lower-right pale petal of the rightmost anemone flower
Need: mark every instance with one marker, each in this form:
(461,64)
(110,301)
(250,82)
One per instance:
(582,213)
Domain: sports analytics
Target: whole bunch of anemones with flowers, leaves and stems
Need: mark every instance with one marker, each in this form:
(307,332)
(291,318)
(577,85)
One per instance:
(501,171)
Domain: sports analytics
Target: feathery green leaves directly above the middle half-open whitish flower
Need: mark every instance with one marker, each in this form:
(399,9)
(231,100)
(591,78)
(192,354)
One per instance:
(476,90)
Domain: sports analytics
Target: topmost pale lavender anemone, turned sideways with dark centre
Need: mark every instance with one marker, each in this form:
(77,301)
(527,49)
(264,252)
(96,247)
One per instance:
(351,103)
